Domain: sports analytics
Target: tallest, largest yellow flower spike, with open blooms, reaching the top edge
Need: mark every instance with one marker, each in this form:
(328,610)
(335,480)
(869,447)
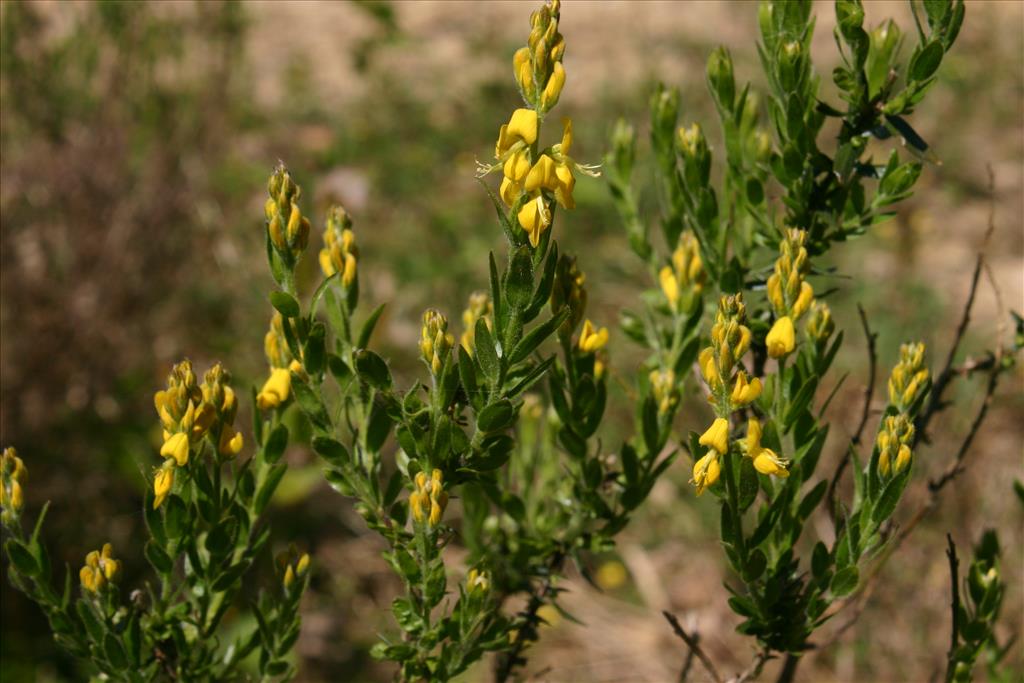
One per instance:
(535,179)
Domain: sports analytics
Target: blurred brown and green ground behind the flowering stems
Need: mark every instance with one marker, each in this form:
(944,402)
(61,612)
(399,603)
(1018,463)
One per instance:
(137,140)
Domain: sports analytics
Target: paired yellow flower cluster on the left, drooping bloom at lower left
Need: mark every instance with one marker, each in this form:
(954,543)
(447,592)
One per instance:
(189,412)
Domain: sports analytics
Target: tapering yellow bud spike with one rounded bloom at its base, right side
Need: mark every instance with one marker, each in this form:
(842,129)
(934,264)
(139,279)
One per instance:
(790,294)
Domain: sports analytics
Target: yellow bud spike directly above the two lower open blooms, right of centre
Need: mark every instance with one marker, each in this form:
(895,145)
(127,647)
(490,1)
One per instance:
(731,338)
